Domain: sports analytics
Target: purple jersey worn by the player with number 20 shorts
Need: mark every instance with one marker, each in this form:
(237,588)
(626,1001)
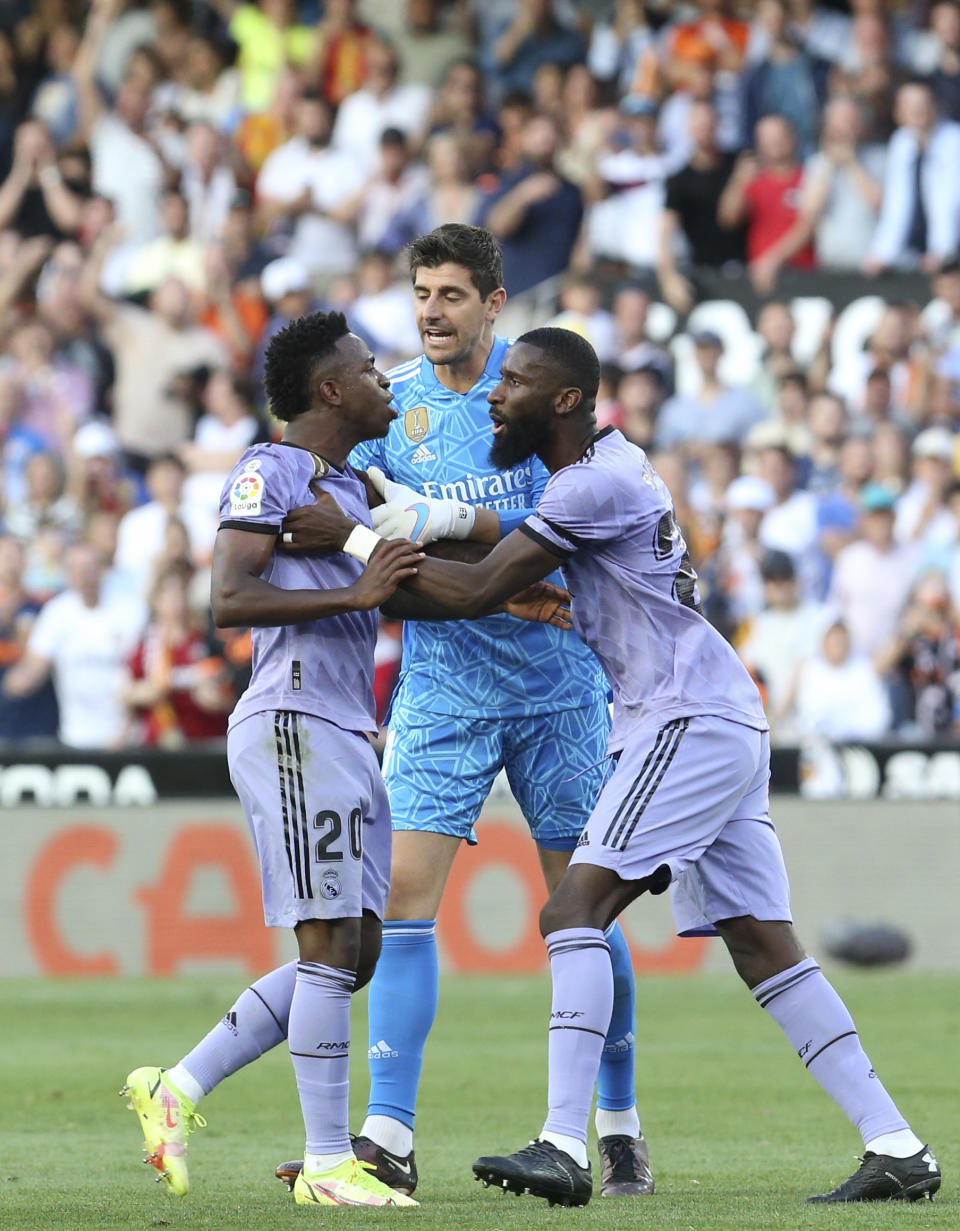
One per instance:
(324,668)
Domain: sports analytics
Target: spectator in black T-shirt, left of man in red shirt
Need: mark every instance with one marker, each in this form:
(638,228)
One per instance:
(691,233)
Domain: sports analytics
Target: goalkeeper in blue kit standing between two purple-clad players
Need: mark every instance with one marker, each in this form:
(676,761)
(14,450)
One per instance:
(474,699)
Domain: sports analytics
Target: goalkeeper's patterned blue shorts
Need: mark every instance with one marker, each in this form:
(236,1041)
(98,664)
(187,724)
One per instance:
(440,769)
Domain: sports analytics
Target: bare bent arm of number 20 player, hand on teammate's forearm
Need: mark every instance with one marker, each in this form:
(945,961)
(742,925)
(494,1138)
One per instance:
(241,598)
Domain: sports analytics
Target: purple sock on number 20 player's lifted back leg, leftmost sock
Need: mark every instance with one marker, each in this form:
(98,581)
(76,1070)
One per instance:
(254,1025)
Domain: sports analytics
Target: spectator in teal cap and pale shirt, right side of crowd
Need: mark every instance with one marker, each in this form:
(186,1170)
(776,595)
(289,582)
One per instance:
(873,575)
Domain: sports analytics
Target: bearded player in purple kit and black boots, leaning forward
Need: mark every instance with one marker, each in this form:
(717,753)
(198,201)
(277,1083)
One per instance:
(687,804)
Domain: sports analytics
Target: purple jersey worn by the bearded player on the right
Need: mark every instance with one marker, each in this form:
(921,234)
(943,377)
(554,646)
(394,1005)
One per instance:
(610,519)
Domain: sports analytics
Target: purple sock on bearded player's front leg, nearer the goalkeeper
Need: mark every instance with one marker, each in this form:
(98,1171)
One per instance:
(580,1017)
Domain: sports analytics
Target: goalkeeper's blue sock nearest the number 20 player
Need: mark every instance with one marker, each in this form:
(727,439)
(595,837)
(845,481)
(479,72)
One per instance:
(403,1004)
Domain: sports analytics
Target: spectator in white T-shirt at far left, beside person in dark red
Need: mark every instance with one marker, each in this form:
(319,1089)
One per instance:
(83,640)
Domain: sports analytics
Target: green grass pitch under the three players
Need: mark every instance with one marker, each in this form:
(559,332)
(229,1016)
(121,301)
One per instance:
(739,1133)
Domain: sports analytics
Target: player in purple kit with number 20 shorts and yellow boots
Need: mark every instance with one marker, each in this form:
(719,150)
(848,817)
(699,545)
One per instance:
(300,760)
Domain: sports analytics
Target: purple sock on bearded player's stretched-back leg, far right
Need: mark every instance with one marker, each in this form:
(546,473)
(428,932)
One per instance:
(819,1026)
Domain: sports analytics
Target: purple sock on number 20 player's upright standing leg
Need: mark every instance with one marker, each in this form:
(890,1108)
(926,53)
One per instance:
(319,1040)
